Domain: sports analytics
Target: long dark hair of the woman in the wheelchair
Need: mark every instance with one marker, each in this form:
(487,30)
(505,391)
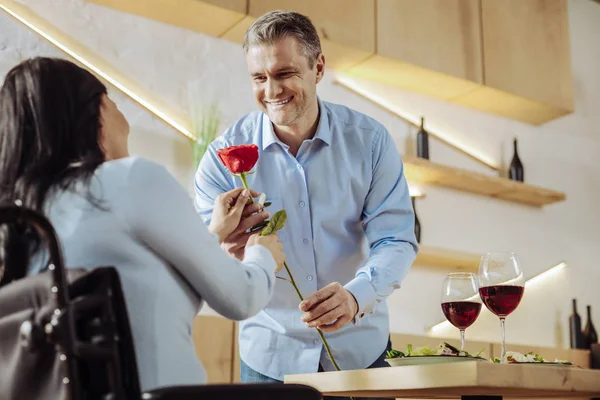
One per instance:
(49,139)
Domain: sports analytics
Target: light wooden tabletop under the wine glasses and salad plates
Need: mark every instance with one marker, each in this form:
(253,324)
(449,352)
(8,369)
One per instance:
(469,380)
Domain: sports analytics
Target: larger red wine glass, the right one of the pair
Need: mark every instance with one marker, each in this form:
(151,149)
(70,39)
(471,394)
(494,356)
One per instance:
(501,287)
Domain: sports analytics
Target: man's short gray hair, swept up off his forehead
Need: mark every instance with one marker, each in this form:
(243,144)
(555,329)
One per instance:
(276,25)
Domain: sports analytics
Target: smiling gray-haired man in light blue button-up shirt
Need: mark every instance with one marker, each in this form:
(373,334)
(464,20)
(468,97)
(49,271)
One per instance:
(349,237)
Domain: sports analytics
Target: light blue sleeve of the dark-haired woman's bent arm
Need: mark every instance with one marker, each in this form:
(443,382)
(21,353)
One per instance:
(161,215)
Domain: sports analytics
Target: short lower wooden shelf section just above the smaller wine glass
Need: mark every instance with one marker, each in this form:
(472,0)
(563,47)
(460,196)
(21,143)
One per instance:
(447,259)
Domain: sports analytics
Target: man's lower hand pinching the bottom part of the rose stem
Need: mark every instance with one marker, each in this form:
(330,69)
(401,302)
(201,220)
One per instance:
(330,308)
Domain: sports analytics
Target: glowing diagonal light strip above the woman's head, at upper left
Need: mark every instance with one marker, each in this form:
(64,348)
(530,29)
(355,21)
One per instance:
(93,63)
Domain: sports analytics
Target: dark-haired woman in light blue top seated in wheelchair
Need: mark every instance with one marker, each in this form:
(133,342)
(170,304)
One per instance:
(63,151)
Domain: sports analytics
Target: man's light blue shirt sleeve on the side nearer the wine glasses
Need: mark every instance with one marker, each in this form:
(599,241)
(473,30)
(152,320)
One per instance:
(388,219)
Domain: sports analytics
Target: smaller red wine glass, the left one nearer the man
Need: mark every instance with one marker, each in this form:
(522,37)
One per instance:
(460,301)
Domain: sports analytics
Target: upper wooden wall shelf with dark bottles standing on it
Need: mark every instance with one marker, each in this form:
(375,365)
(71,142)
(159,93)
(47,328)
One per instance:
(425,171)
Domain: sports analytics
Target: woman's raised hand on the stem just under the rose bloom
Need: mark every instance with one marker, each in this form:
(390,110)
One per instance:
(234,212)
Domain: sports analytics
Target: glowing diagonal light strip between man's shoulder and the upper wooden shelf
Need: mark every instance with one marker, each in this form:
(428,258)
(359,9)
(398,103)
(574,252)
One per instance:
(415,120)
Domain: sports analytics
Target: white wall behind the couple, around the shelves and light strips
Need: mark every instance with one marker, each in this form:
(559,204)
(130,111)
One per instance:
(560,155)
